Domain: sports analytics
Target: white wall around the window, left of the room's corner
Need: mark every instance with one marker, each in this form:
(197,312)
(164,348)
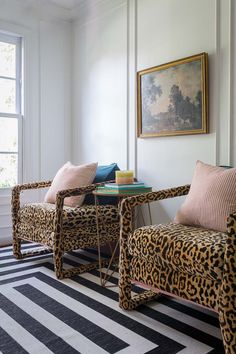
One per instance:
(47,79)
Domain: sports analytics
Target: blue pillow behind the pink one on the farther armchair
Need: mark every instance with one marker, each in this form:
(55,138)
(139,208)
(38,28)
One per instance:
(103,174)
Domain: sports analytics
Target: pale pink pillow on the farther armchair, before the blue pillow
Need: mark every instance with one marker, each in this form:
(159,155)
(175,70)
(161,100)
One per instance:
(70,176)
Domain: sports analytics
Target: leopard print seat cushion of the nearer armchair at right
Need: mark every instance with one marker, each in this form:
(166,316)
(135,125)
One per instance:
(194,250)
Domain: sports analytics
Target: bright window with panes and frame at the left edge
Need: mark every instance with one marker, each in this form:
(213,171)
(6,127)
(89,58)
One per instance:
(10,110)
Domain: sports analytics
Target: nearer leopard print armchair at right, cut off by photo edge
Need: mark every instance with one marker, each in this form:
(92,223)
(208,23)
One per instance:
(193,263)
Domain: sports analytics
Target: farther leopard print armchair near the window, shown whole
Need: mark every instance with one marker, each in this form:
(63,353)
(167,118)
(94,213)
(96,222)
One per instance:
(61,228)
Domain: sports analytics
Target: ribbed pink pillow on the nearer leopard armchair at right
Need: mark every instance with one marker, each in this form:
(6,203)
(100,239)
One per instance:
(212,197)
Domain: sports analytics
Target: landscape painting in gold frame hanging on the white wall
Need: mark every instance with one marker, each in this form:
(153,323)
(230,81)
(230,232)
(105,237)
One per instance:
(173,98)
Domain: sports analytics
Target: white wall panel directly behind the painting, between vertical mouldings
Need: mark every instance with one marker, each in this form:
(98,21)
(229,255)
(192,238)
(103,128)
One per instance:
(168,30)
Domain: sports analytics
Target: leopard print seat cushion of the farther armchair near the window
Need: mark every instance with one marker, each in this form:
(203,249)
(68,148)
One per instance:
(43,214)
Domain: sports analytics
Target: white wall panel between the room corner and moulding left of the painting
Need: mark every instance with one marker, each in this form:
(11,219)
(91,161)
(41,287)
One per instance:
(100,86)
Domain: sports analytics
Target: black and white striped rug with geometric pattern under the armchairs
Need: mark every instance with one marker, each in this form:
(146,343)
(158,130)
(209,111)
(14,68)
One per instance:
(41,315)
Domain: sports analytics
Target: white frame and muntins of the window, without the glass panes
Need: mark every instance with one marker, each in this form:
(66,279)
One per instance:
(17,40)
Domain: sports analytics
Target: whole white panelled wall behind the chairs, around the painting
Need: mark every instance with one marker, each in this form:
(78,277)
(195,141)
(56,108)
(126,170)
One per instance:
(158,31)
